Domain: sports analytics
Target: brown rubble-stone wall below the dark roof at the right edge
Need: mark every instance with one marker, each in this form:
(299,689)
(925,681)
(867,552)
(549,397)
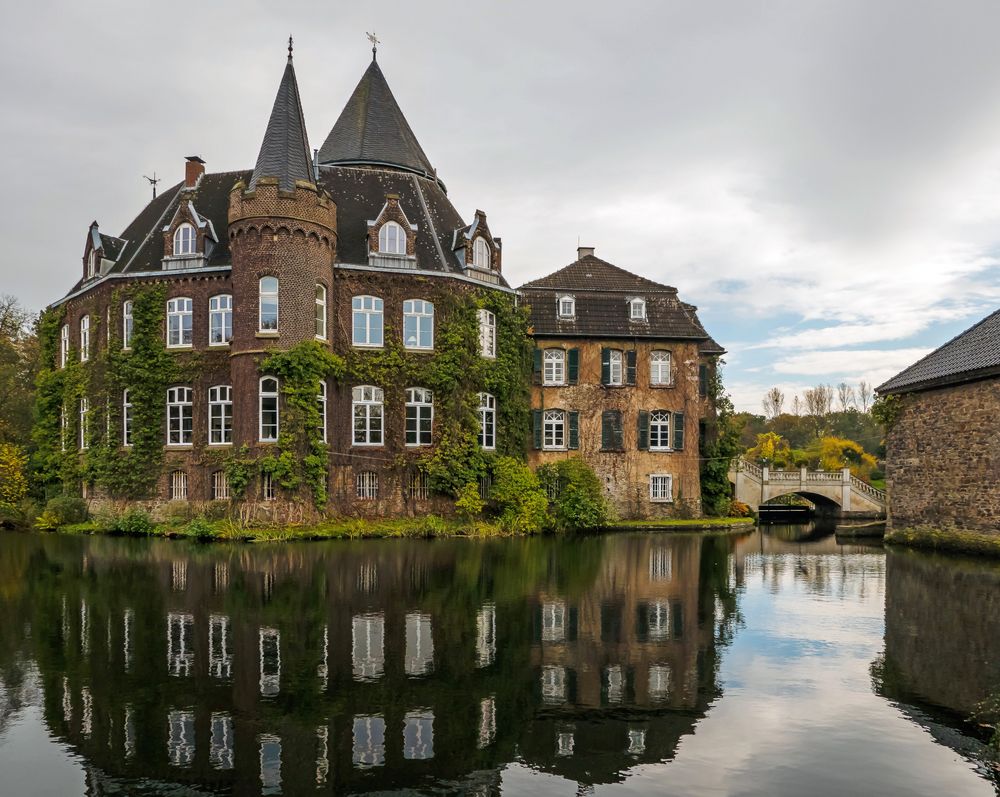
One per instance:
(943,459)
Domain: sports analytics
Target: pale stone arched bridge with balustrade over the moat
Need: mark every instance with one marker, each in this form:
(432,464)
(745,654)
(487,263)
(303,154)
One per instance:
(757,485)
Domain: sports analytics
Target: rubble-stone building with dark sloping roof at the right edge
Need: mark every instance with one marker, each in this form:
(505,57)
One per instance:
(942,460)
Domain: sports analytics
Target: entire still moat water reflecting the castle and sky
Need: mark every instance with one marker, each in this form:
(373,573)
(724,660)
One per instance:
(775,662)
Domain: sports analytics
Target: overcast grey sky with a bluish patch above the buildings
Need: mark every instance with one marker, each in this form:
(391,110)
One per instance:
(821,178)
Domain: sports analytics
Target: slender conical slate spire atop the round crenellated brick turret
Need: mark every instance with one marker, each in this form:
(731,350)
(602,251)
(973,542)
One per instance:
(284,154)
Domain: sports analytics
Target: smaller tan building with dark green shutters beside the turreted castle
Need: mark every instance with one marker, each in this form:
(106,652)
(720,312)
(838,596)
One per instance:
(621,375)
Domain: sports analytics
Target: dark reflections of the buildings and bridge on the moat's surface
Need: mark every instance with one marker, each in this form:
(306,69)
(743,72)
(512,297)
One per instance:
(361,667)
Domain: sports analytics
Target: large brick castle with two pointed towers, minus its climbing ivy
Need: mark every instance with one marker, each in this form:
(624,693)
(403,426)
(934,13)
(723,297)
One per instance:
(356,246)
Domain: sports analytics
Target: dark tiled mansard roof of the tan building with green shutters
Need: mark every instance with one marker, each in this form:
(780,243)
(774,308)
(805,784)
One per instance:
(602,291)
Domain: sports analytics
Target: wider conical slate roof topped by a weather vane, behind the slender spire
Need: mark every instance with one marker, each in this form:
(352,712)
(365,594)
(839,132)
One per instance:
(372,130)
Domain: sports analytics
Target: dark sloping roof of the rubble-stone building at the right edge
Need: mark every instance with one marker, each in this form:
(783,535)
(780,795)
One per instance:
(974,354)
